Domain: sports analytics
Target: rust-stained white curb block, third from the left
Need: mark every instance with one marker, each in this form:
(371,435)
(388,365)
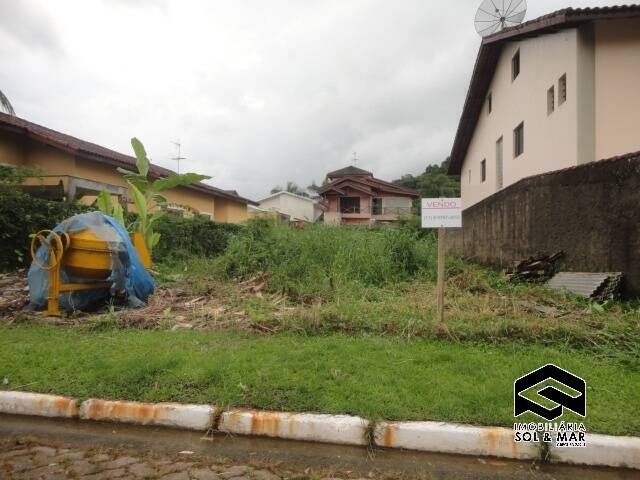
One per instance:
(342,429)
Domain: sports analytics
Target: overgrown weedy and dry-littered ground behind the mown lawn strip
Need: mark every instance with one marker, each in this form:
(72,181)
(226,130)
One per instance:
(315,281)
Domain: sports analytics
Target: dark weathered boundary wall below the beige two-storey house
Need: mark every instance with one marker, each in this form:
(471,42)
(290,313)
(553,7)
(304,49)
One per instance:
(590,211)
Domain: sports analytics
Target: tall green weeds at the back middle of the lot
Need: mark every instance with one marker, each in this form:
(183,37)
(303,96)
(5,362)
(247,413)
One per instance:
(319,262)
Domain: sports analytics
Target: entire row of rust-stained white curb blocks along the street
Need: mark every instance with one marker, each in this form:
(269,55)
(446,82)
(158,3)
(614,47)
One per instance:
(601,450)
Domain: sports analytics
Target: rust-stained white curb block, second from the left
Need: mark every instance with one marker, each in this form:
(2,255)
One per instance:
(189,417)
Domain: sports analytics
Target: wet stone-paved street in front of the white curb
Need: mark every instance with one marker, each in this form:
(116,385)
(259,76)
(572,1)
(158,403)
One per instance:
(47,449)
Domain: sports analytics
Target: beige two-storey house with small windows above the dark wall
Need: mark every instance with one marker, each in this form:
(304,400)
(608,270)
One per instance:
(552,93)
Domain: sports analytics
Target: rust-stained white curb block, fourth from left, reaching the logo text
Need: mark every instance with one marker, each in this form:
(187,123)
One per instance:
(453,438)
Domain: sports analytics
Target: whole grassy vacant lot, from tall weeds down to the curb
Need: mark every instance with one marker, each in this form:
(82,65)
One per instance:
(335,320)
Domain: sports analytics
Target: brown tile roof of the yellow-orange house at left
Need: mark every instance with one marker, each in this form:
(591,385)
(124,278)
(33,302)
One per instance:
(97,153)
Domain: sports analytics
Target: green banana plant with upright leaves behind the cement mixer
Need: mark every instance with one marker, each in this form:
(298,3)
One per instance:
(147,194)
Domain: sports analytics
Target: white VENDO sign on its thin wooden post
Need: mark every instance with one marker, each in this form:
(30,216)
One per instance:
(441,213)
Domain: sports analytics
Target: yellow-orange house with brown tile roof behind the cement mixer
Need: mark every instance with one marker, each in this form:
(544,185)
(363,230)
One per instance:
(74,169)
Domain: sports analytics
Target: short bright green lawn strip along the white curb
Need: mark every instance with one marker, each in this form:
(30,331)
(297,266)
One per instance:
(378,378)
